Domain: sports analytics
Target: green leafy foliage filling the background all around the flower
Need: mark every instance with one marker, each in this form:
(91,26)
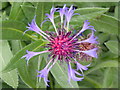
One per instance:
(16,15)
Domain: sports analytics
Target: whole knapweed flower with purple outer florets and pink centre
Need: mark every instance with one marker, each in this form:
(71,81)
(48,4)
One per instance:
(65,45)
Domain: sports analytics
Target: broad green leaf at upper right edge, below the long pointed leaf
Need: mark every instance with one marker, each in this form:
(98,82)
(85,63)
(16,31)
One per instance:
(105,23)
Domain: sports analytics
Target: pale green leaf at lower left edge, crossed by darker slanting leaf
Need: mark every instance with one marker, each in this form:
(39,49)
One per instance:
(11,78)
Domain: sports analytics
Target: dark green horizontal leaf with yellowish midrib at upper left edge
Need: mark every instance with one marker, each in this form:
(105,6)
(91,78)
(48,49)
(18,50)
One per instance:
(13,30)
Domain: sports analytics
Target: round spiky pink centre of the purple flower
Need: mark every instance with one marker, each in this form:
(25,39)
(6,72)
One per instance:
(62,45)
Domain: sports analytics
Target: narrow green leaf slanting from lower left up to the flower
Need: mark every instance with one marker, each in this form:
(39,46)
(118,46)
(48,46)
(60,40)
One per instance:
(16,59)
